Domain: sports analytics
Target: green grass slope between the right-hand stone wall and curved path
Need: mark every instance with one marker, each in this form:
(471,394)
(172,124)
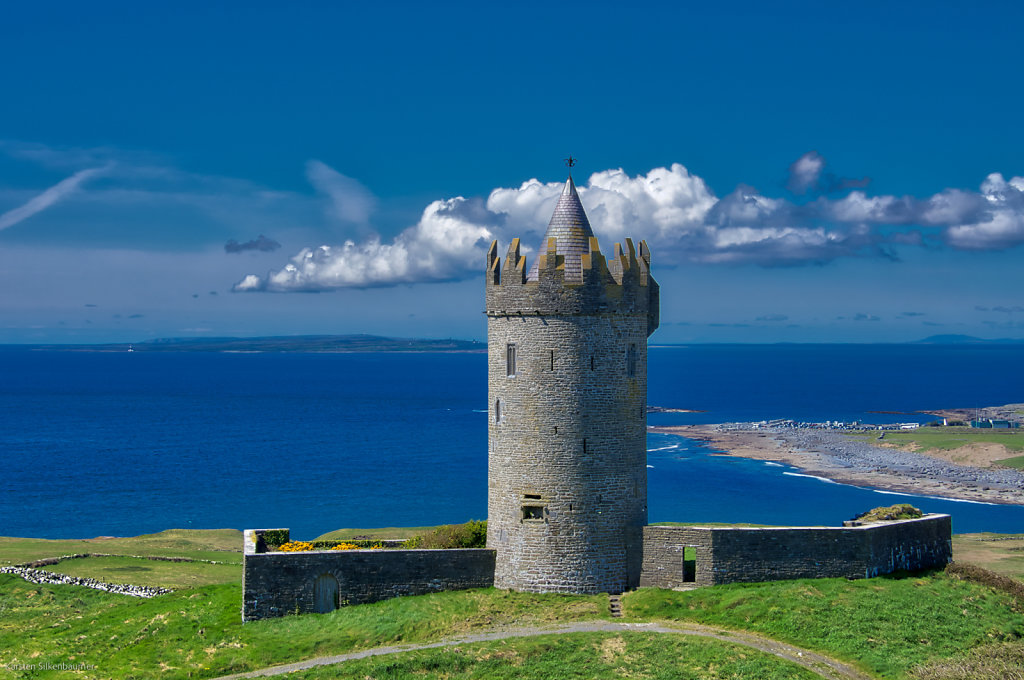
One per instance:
(887,625)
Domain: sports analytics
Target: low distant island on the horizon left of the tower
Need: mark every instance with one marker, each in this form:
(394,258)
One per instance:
(300,344)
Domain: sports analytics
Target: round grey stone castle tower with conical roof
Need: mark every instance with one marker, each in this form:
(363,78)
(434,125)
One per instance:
(568,388)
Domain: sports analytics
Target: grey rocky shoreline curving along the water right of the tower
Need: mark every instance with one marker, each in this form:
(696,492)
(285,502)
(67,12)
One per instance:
(848,460)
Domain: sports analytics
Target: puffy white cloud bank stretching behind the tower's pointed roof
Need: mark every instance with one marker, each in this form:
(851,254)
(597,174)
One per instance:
(674,210)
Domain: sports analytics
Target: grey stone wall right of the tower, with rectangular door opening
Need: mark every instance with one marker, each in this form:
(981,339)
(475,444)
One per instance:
(750,556)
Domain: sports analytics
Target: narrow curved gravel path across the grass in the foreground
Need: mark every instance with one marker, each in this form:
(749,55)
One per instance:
(823,666)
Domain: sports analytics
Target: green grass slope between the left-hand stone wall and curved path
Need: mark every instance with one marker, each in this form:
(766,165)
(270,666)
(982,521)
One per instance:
(199,632)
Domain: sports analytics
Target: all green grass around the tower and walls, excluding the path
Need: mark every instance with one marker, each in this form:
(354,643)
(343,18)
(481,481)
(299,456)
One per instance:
(885,626)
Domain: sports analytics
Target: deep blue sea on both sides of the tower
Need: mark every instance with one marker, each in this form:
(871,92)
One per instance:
(126,444)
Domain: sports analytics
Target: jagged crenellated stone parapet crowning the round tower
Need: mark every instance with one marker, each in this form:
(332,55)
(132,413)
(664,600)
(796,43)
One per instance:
(584,284)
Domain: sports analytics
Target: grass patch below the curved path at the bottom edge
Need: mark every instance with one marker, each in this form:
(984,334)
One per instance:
(584,656)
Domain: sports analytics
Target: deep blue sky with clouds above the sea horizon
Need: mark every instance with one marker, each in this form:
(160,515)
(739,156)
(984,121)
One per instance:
(802,173)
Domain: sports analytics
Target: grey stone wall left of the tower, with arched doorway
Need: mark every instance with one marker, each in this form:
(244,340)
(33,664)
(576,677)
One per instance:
(276,584)
